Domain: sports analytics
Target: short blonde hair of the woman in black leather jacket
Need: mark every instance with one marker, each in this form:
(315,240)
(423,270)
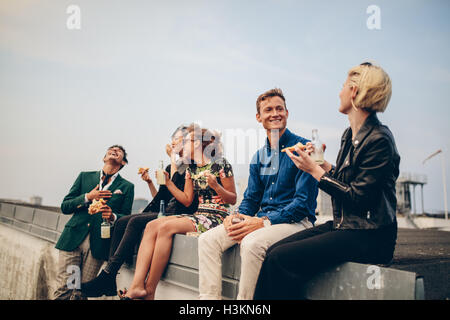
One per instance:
(374,87)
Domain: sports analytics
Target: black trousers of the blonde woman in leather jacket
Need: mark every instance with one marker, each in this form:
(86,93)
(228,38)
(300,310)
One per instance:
(291,262)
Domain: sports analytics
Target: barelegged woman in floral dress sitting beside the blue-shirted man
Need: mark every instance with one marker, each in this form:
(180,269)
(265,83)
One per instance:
(213,182)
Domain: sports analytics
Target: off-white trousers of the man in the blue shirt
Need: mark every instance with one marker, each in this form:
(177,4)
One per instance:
(214,242)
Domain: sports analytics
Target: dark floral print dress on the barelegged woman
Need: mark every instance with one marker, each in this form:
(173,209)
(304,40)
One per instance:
(211,208)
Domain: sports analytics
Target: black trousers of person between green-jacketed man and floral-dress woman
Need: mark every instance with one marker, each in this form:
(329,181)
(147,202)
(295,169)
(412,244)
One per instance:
(126,235)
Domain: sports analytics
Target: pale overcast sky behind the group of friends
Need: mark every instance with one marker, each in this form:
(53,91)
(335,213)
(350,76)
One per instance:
(135,70)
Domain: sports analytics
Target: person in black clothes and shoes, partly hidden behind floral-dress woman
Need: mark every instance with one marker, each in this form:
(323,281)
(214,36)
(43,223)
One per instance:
(128,230)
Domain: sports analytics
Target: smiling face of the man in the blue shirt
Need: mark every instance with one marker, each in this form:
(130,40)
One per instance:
(273,114)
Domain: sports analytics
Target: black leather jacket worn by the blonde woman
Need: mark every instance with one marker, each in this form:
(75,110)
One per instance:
(362,185)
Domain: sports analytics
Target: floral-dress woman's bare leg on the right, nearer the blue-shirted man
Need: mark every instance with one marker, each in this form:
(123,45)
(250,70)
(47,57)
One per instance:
(163,247)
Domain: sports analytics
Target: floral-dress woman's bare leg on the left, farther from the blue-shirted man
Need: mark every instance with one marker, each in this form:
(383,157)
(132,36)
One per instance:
(144,258)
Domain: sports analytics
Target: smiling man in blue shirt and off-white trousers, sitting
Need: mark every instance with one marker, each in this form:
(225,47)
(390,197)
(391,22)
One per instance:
(282,197)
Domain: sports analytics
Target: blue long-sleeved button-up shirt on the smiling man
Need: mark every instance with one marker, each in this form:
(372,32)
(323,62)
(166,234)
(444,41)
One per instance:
(277,188)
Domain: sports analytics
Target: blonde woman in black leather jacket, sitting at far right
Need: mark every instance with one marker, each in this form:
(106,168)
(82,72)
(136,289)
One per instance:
(362,189)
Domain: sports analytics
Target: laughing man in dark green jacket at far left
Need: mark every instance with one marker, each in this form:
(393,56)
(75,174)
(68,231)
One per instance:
(82,250)
